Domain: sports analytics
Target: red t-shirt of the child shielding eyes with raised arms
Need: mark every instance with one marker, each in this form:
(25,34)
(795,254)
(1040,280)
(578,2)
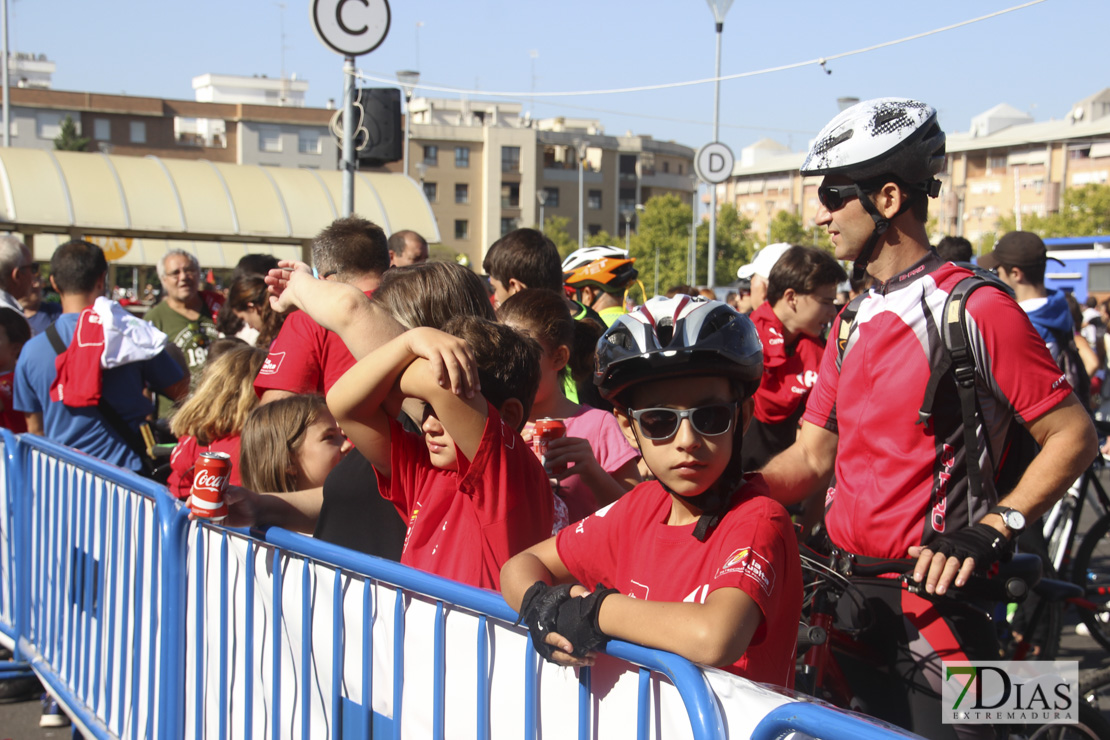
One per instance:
(465,525)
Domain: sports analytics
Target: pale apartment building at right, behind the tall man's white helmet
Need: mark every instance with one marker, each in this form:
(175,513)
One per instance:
(1005,164)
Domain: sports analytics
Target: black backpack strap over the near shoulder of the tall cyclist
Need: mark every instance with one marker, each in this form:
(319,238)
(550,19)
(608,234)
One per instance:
(960,359)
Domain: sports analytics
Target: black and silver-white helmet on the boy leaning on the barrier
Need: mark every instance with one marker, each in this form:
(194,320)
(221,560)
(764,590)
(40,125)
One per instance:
(675,338)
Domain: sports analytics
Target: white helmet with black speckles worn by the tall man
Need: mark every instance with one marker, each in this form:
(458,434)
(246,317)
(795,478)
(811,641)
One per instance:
(883,137)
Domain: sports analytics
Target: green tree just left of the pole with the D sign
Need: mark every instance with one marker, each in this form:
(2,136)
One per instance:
(663,239)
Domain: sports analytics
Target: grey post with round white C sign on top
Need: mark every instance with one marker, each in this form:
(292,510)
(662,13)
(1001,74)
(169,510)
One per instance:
(351,28)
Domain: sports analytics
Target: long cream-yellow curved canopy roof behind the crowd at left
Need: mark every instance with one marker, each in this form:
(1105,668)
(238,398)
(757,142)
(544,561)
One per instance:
(152,205)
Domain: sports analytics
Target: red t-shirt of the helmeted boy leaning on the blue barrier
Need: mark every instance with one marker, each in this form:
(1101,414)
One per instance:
(629,546)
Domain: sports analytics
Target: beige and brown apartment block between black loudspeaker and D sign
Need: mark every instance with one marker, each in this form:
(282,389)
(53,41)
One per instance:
(488,169)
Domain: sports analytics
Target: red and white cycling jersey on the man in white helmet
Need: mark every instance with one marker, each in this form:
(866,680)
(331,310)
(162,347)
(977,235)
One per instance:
(901,483)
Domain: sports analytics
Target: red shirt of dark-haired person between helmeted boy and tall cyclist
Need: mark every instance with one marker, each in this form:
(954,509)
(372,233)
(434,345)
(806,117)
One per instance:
(788,379)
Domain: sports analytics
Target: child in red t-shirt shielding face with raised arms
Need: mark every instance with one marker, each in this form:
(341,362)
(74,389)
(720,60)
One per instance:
(472,492)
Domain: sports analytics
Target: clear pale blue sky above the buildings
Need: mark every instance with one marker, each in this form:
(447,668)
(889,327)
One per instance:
(1042,59)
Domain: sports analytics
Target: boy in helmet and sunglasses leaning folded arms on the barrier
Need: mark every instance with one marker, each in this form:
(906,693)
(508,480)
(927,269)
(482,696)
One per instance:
(699,562)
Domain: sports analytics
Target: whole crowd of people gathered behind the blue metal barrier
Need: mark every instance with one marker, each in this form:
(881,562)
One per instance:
(389,404)
